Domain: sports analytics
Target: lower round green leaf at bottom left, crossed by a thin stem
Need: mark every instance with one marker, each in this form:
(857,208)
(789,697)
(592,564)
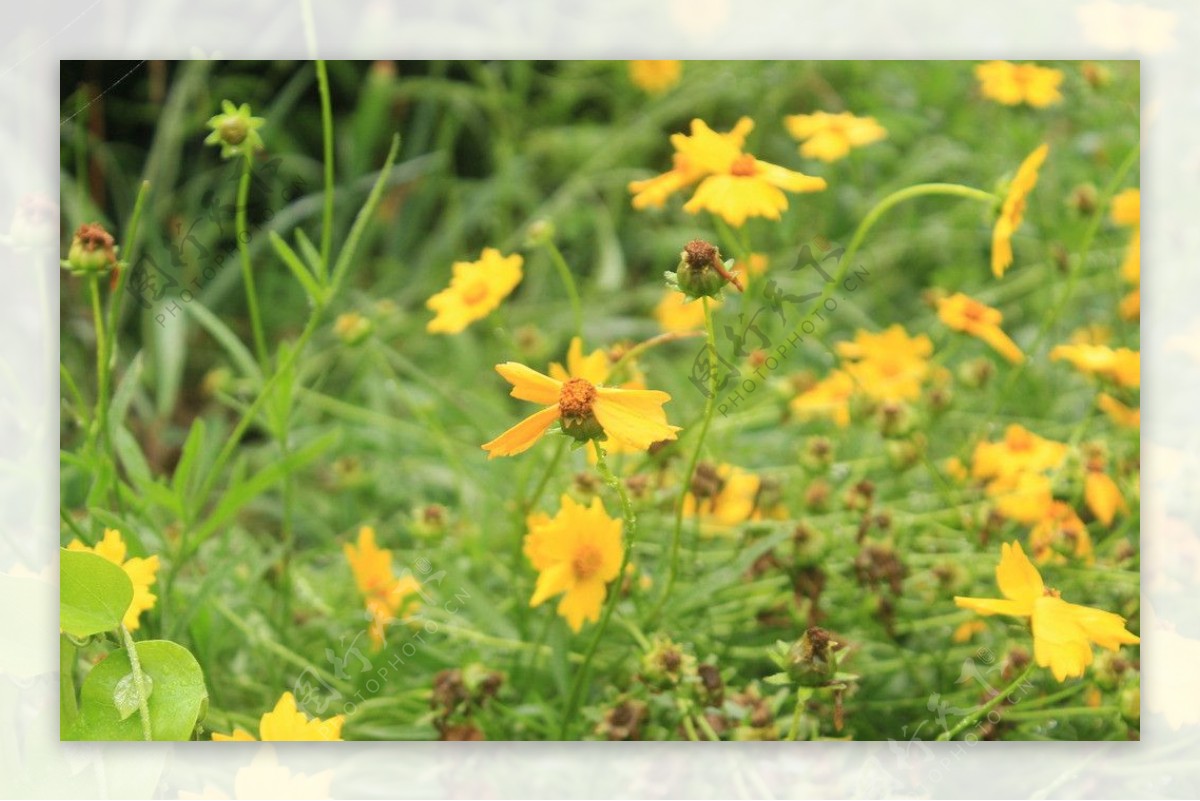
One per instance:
(177,704)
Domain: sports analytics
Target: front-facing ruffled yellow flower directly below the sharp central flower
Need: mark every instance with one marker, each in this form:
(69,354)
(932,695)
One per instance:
(577,553)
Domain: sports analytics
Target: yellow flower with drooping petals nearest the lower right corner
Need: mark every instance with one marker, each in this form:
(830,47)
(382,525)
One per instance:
(1064,634)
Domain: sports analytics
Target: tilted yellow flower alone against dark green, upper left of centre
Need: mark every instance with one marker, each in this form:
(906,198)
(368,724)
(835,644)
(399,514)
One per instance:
(476,291)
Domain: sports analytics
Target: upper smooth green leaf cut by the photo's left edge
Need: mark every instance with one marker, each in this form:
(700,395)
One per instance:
(94,594)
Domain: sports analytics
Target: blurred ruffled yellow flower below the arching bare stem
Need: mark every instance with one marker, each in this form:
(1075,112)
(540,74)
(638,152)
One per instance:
(887,366)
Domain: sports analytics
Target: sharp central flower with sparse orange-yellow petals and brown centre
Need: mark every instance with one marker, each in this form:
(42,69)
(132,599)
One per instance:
(633,418)
